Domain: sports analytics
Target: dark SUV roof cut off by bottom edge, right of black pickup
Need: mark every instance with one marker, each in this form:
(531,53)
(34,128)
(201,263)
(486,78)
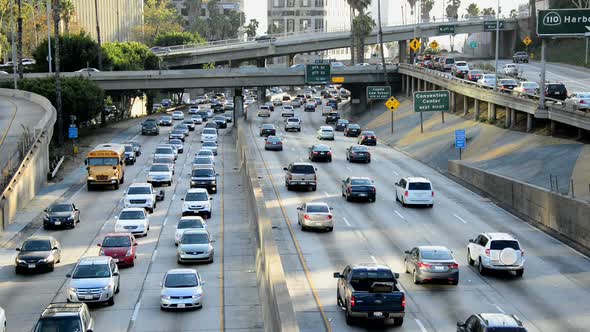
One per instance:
(491,322)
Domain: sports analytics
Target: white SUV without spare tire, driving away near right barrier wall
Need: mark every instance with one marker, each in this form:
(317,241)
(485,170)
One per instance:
(414,191)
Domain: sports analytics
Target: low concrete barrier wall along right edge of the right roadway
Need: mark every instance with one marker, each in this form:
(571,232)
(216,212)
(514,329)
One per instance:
(562,216)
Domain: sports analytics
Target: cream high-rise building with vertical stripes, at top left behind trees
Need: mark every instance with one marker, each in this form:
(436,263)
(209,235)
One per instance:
(118,19)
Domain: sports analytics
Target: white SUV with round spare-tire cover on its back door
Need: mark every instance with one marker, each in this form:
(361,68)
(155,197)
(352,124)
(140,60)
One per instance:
(496,251)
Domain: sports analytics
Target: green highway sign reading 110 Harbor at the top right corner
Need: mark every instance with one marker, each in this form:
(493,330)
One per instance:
(563,22)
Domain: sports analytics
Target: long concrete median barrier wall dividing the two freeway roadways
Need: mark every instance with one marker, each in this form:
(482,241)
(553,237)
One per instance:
(277,307)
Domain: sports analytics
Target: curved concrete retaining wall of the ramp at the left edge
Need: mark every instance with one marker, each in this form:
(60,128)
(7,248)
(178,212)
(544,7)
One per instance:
(32,173)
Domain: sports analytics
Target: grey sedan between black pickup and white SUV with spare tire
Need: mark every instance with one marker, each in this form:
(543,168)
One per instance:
(429,263)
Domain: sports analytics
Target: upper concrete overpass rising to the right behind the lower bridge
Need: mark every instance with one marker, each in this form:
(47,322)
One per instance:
(192,55)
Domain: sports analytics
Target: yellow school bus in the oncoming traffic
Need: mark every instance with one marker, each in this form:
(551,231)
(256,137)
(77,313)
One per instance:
(106,166)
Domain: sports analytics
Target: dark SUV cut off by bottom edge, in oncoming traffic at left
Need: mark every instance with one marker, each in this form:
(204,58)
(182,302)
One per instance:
(62,316)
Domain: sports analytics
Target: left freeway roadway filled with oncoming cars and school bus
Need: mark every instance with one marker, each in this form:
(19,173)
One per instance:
(231,296)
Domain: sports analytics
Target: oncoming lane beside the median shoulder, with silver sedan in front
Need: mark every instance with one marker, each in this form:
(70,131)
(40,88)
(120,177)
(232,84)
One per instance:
(148,316)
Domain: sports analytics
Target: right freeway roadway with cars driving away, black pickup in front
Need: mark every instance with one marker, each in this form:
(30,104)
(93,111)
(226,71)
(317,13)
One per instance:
(551,296)
